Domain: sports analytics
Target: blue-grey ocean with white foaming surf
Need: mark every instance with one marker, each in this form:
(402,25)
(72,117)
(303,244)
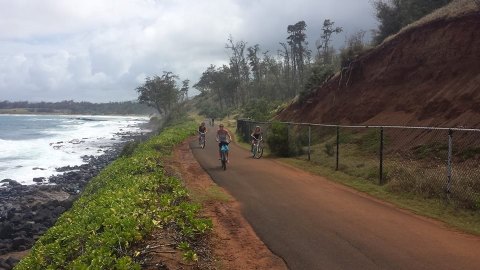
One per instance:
(34,146)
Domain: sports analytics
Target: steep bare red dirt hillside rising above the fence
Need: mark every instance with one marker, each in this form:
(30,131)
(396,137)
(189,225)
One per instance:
(428,74)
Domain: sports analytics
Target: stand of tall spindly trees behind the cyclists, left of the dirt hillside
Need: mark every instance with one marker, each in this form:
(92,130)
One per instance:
(255,82)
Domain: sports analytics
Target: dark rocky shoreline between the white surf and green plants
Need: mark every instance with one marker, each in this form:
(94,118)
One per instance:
(27,211)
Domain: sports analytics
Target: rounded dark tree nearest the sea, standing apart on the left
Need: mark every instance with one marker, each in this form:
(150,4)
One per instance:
(160,92)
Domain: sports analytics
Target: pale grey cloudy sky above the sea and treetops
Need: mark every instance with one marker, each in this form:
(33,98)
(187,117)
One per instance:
(100,50)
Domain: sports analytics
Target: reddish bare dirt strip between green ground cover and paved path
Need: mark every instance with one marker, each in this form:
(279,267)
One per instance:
(234,243)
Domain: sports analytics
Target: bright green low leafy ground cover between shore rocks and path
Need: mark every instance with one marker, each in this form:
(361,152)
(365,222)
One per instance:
(124,203)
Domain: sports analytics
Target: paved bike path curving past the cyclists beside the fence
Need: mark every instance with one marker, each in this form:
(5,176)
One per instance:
(313,223)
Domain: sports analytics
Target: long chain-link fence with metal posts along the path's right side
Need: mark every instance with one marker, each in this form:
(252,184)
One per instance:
(429,162)
